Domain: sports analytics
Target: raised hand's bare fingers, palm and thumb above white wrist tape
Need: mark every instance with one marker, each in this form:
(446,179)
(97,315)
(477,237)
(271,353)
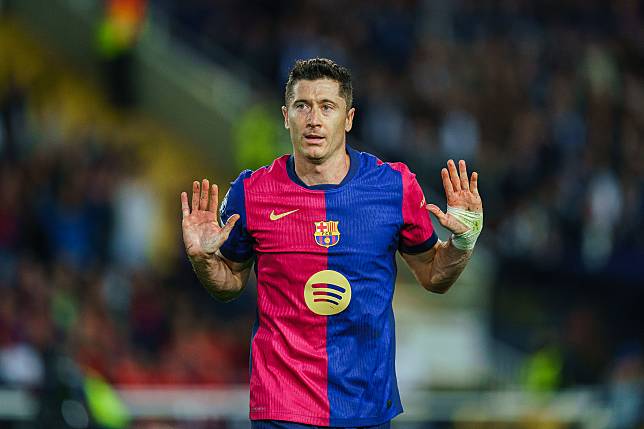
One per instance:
(461,192)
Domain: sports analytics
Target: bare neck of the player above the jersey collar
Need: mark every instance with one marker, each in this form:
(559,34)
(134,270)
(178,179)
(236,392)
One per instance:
(330,172)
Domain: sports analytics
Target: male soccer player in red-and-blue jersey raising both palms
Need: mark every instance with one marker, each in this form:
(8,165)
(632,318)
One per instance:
(321,228)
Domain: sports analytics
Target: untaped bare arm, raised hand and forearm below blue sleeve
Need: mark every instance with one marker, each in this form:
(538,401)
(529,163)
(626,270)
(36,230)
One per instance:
(202,237)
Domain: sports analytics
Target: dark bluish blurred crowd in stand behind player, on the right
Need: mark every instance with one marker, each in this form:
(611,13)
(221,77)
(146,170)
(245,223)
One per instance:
(545,99)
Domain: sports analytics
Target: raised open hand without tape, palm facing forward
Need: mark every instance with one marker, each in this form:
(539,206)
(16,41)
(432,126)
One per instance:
(202,235)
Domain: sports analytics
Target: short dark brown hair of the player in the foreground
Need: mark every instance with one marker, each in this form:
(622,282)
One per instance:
(320,68)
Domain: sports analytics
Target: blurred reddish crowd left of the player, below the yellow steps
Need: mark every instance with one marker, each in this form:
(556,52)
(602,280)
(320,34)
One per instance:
(75,277)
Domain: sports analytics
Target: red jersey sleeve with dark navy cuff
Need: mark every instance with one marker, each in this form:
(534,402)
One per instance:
(417,233)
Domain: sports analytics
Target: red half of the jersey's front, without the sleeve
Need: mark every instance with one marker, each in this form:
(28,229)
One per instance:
(289,359)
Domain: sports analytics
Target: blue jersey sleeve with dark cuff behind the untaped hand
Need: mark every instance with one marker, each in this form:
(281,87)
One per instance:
(239,245)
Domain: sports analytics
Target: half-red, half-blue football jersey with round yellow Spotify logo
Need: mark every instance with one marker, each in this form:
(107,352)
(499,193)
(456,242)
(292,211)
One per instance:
(323,344)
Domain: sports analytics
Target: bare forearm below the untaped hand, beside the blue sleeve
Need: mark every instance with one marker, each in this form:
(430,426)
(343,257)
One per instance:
(219,279)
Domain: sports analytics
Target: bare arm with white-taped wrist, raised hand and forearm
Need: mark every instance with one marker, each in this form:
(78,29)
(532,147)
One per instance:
(438,268)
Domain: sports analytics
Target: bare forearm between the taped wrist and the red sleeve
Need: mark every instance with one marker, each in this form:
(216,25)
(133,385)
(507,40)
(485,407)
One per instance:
(448,264)
